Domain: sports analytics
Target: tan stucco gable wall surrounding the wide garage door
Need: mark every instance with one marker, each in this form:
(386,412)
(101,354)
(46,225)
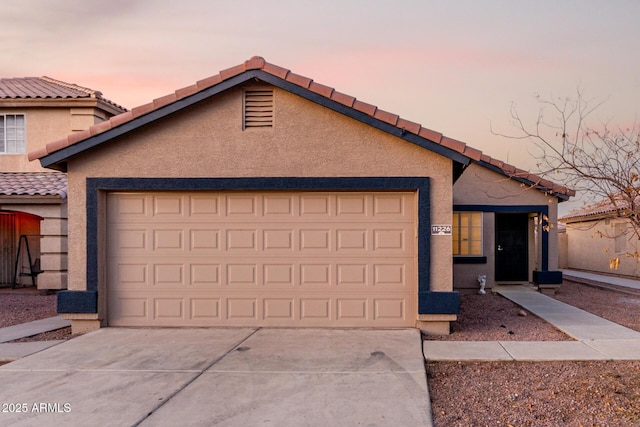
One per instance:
(307,141)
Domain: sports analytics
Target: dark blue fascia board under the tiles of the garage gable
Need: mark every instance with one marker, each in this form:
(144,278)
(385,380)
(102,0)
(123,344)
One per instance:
(67,152)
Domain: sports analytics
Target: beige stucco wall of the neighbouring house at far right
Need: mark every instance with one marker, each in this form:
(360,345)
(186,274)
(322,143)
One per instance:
(588,251)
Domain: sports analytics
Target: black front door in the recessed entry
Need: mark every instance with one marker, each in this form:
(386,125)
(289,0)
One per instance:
(512,247)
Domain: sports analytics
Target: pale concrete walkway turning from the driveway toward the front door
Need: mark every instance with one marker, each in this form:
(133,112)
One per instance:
(596,338)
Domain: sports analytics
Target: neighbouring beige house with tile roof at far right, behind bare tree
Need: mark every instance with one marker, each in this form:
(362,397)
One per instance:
(600,239)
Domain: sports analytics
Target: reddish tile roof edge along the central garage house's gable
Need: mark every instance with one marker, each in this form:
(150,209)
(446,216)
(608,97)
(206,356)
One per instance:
(258,63)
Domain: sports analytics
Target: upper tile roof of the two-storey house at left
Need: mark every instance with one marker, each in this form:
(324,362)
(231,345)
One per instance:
(47,88)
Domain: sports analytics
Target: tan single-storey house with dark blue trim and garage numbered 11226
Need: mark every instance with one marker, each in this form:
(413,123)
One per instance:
(258,197)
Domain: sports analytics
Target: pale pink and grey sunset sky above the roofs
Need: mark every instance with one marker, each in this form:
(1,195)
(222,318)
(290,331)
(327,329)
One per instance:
(456,67)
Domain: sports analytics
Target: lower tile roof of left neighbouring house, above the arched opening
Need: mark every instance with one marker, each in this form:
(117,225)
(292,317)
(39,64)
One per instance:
(33,184)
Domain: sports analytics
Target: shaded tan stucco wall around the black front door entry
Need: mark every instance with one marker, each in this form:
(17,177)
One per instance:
(483,187)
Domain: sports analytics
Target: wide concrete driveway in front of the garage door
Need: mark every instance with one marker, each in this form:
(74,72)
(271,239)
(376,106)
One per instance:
(228,377)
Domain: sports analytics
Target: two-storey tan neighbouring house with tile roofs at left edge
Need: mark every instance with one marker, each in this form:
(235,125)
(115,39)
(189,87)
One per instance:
(33,200)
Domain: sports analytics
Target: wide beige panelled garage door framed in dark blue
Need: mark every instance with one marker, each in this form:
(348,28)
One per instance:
(261,259)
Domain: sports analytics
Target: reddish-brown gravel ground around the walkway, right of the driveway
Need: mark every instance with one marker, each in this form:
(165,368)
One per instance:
(602,393)
